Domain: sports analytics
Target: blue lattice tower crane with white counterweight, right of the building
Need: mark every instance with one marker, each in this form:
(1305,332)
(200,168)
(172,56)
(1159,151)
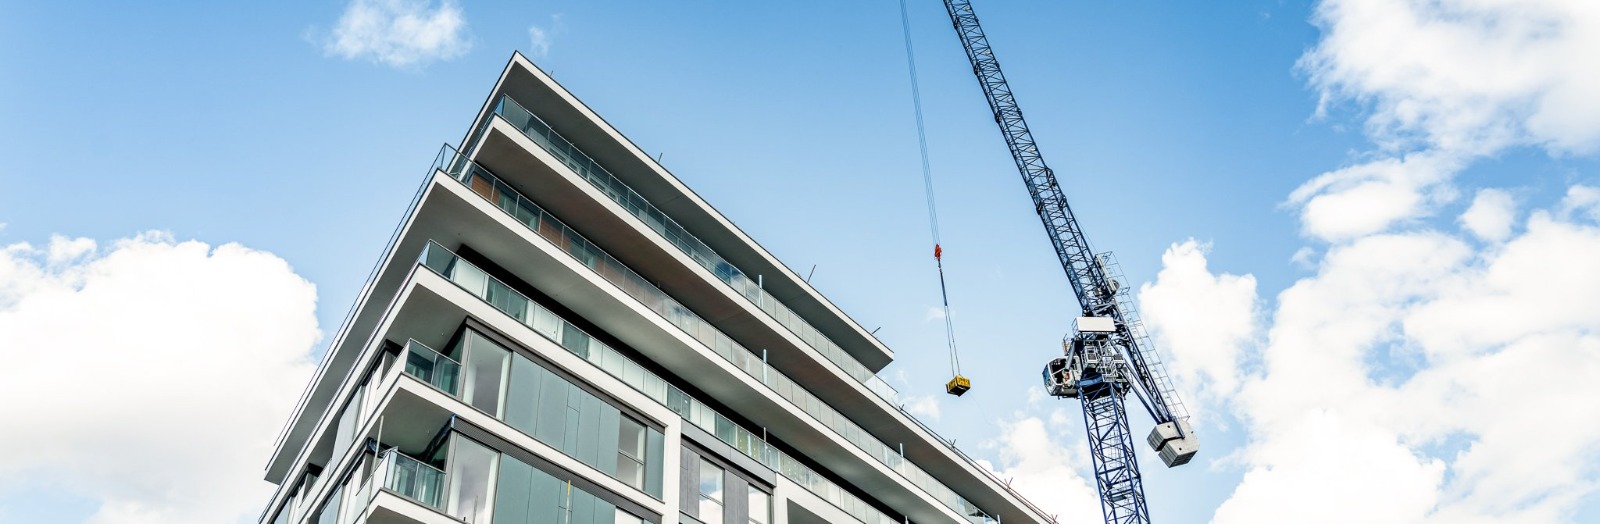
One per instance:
(1108,355)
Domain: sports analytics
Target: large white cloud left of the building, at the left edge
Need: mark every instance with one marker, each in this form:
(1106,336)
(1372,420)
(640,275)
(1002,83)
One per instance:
(153,376)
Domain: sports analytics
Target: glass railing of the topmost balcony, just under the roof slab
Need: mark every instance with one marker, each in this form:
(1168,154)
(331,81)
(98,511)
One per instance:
(697,250)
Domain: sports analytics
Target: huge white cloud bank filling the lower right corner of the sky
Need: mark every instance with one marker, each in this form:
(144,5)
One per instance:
(1404,381)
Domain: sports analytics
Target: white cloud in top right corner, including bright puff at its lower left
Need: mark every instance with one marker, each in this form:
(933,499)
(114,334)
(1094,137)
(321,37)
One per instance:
(1446,84)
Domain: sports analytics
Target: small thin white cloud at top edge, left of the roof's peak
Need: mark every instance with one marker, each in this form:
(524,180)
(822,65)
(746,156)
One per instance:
(399,33)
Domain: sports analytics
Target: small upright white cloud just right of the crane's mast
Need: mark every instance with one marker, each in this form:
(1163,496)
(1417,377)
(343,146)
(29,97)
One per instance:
(1204,320)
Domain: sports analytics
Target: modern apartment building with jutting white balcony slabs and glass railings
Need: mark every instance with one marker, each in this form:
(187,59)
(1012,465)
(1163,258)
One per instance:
(564,333)
